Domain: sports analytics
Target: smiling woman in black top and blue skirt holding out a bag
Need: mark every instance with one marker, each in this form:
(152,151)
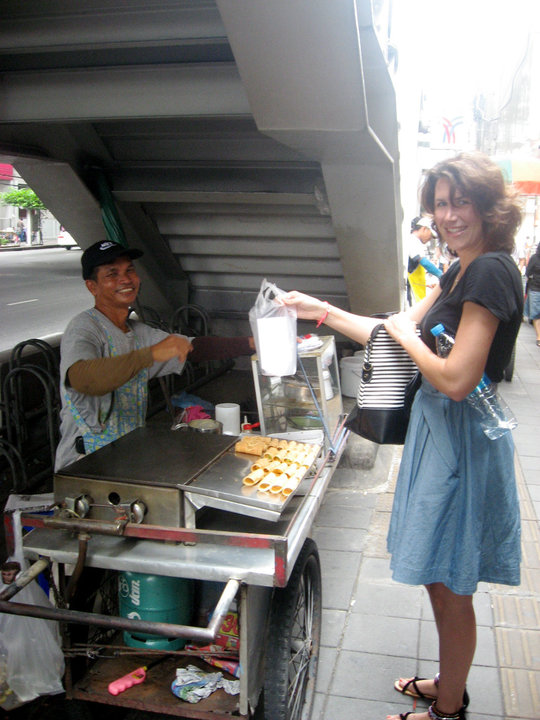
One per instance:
(455,519)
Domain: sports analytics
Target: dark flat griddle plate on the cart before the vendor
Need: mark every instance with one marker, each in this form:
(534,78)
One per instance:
(153,455)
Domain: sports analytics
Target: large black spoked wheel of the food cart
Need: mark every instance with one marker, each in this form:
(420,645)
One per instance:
(294,640)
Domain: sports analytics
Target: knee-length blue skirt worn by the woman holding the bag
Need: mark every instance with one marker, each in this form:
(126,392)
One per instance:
(455,517)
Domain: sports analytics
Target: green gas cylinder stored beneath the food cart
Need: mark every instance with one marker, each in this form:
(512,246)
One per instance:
(156,598)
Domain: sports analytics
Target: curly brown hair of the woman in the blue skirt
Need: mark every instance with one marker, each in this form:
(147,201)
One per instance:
(480,180)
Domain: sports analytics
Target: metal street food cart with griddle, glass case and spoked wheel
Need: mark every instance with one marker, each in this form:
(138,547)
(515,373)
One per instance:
(175,504)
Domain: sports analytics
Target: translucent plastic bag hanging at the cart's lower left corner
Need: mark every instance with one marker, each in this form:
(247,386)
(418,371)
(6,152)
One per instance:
(35,662)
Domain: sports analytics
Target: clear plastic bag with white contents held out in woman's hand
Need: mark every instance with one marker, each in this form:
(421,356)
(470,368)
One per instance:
(274,329)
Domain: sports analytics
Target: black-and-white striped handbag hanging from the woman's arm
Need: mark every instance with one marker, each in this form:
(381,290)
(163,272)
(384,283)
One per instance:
(387,387)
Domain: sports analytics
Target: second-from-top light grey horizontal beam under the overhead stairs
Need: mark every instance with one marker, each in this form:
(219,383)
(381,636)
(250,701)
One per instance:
(133,92)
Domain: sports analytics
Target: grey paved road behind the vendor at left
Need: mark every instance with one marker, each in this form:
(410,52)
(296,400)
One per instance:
(39,292)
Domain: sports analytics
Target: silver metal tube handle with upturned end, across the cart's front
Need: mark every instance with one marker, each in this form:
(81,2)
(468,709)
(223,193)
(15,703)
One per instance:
(205,635)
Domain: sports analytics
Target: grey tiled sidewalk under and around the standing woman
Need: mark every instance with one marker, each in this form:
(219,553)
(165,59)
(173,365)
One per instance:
(375,630)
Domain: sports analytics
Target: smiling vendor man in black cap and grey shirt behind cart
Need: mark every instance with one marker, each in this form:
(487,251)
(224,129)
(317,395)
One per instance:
(107,359)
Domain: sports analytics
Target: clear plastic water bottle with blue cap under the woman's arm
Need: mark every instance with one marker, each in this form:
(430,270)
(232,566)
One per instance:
(496,418)
